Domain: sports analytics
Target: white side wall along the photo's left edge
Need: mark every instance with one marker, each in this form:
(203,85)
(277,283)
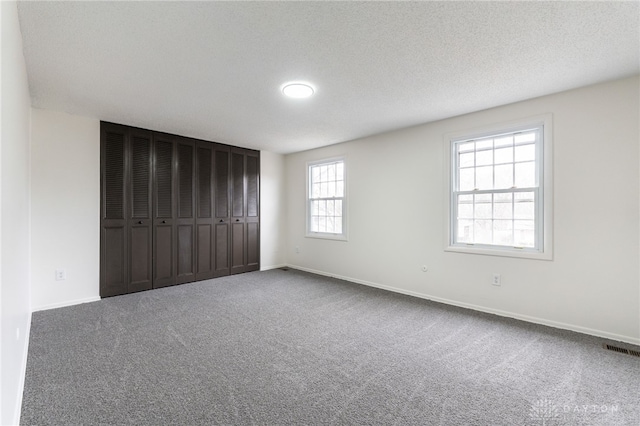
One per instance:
(14,217)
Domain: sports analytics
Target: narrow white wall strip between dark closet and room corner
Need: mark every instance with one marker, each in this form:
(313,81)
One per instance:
(272,210)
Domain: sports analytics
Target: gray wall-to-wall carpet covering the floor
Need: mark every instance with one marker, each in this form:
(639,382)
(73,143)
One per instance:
(287,347)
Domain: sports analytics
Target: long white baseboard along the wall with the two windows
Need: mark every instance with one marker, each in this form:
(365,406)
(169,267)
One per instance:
(535,320)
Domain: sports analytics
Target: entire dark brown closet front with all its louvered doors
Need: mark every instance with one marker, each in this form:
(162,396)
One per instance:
(174,210)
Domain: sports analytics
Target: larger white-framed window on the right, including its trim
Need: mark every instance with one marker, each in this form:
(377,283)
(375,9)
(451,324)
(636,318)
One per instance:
(500,190)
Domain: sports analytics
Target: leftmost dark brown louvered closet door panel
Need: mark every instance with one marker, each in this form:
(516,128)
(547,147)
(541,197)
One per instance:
(113,223)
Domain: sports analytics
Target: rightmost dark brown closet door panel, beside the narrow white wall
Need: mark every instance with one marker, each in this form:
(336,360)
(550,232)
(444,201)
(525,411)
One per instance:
(252,217)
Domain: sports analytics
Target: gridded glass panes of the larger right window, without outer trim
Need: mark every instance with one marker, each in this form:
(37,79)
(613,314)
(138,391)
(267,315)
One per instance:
(496,193)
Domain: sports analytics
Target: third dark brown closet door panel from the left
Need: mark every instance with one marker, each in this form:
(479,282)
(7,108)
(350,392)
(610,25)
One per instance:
(164,246)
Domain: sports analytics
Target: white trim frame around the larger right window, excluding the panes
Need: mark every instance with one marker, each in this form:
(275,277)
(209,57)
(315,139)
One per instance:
(546,251)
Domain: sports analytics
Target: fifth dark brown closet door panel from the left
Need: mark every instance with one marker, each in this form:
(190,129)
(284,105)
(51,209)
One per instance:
(204,211)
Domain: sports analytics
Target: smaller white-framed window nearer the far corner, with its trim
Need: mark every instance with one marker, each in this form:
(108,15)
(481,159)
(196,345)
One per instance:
(326,210)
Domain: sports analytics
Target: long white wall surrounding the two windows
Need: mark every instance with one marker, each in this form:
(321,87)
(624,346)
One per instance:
(396,224)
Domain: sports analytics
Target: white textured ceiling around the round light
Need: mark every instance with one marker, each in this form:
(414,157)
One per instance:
(214,70)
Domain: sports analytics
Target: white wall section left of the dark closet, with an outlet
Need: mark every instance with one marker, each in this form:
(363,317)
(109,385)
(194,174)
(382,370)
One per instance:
(65,208)
